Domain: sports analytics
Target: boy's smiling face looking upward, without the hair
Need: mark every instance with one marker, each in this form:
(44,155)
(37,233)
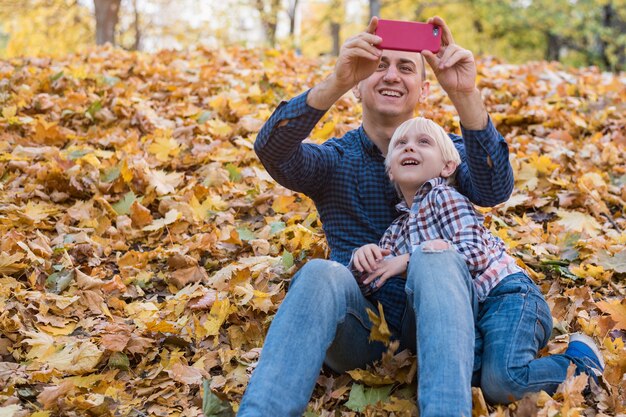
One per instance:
(415,159)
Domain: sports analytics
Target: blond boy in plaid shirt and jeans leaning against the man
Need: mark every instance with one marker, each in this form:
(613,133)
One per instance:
(421,161)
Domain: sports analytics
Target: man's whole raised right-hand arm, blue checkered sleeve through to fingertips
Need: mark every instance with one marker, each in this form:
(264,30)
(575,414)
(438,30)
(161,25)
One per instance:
(486,177)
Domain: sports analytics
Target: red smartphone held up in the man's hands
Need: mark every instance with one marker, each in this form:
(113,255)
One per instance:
(408,36)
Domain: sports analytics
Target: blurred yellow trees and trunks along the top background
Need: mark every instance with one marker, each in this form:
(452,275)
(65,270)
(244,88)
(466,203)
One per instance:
(575,32)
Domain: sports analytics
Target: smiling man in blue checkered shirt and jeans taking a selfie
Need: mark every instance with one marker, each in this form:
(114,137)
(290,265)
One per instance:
(323,318)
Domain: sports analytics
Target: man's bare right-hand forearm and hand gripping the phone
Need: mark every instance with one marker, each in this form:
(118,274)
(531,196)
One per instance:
(455,70)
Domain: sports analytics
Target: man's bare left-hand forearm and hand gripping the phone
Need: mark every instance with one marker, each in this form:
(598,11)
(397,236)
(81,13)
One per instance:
(358,59)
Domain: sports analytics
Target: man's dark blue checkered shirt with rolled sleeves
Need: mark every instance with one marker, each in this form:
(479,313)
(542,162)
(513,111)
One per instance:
(346,179)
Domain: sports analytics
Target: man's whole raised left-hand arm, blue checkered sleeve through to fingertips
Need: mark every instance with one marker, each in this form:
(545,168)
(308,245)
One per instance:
(304,167)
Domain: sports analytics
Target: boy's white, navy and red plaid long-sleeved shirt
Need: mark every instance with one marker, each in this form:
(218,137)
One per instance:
(441,212)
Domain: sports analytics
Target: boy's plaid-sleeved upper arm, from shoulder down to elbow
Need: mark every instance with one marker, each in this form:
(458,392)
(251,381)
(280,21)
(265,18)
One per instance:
(461,226)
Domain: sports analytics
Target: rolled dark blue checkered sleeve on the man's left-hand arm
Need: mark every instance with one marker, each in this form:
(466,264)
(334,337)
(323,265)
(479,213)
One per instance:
(297,166)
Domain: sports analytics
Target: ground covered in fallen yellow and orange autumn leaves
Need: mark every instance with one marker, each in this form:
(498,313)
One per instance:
(144,249)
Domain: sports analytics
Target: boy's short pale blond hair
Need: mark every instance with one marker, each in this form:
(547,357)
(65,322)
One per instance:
(419,125)
